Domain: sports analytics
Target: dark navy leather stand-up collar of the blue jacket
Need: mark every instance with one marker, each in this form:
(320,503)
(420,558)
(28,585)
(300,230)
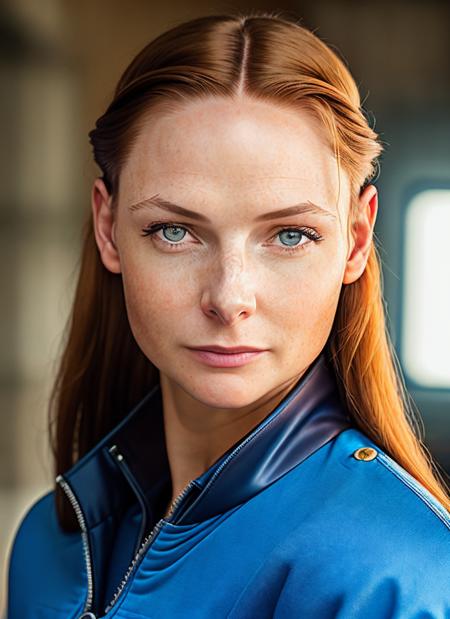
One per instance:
(130,464)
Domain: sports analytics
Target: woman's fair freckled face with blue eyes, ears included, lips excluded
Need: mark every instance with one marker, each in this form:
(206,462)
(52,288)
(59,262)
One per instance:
(233,273)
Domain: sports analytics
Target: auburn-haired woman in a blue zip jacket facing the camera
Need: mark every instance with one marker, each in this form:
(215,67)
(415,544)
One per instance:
(231,434)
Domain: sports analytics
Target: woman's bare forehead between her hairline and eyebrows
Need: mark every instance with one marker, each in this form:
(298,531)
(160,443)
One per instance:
(242,151)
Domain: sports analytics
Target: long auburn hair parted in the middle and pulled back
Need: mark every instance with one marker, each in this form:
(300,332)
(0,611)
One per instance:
(270,57)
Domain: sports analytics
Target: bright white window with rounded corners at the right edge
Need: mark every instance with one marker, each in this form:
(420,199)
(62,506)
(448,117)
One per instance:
(425,341)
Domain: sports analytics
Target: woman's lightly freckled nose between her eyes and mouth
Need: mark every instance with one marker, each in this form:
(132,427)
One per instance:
(229,293)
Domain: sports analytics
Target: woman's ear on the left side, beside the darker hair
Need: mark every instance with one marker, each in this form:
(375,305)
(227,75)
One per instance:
(104,226)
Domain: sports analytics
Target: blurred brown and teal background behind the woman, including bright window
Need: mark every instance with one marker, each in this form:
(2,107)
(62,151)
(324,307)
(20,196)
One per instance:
(59,62)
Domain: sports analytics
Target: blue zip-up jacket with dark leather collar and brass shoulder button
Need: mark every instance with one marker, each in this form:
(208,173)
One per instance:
(304,517)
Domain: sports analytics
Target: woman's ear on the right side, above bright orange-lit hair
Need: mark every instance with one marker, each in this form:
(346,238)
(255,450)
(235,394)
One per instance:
(362,234)
